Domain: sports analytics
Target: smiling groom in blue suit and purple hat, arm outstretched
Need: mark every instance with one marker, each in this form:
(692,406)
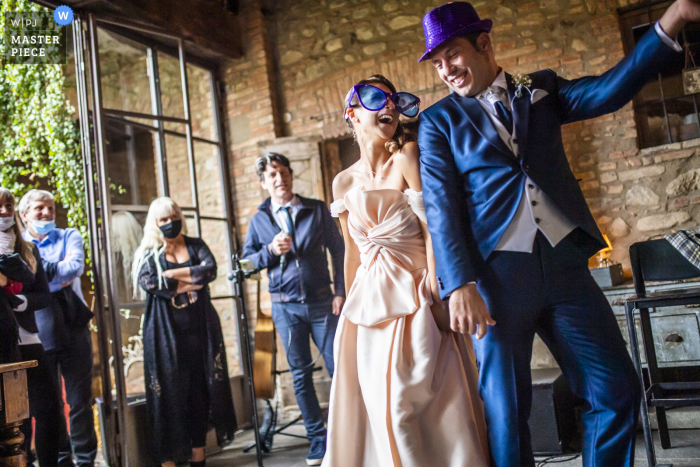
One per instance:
(512,233)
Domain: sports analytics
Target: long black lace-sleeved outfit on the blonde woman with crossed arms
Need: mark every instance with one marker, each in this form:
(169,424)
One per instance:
(178,337)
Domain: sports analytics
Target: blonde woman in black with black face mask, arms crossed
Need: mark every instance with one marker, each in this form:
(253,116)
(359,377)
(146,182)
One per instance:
(187,382)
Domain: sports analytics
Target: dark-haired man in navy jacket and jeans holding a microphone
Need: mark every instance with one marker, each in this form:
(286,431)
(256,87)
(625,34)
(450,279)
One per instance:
(289,237)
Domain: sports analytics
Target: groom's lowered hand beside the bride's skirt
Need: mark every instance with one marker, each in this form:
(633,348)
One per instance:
(468,312)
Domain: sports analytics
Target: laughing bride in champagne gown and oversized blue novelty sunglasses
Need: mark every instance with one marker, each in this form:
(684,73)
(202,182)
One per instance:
(405,388)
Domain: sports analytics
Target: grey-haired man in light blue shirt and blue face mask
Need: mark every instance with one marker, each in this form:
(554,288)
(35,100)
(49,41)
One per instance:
(63,324)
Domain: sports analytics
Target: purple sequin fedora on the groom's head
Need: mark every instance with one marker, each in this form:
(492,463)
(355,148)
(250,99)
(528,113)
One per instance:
(449,21)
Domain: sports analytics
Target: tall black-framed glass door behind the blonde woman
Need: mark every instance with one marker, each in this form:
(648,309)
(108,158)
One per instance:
(150,127)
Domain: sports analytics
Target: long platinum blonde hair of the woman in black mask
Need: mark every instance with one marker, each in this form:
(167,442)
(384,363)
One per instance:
(153,241)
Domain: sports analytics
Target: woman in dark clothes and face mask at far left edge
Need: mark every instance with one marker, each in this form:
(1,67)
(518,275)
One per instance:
(26,288)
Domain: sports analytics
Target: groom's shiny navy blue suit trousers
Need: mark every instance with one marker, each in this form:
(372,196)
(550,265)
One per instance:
(551,292)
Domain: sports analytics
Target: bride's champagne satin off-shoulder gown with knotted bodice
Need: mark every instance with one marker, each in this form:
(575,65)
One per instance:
(404,394)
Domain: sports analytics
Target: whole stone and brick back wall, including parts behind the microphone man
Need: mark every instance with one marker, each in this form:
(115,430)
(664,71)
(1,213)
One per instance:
(302,56)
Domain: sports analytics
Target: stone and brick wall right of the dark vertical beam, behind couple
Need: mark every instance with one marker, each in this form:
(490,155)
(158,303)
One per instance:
(323,47)
